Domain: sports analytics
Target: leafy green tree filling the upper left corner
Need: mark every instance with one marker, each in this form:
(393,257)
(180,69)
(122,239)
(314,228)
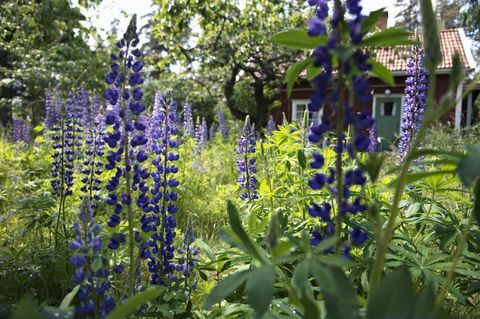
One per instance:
(43,45)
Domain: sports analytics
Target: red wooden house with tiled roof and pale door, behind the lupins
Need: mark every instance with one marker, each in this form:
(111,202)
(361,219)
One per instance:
(388,100)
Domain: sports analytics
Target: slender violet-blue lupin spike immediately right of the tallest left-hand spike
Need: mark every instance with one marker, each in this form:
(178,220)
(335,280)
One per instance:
(159,220)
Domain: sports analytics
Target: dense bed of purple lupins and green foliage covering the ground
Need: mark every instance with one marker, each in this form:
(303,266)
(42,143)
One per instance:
(113,209)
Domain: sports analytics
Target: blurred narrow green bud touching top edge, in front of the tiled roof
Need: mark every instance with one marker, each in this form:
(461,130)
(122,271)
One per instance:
(431,41)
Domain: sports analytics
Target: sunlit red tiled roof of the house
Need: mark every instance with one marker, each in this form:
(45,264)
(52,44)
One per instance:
(451,41)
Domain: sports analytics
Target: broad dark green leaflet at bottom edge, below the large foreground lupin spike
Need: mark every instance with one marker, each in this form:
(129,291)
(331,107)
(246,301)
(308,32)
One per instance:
(338,292)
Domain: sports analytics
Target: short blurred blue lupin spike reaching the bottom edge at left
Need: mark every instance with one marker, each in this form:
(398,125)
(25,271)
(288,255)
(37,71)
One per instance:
(91,271)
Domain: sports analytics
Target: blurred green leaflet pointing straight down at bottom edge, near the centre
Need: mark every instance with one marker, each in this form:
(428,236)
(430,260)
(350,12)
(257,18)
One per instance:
(260,289)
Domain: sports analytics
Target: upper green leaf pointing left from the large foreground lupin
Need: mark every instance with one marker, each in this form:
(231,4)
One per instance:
(298,38)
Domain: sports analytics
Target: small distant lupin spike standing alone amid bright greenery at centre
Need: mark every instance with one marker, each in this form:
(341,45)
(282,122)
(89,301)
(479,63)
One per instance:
(246,162)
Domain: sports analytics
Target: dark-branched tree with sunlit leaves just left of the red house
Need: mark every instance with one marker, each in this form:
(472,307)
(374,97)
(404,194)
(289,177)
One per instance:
(228,43)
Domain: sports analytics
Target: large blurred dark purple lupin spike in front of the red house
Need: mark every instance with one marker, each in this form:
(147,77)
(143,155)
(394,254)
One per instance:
(338,181)
